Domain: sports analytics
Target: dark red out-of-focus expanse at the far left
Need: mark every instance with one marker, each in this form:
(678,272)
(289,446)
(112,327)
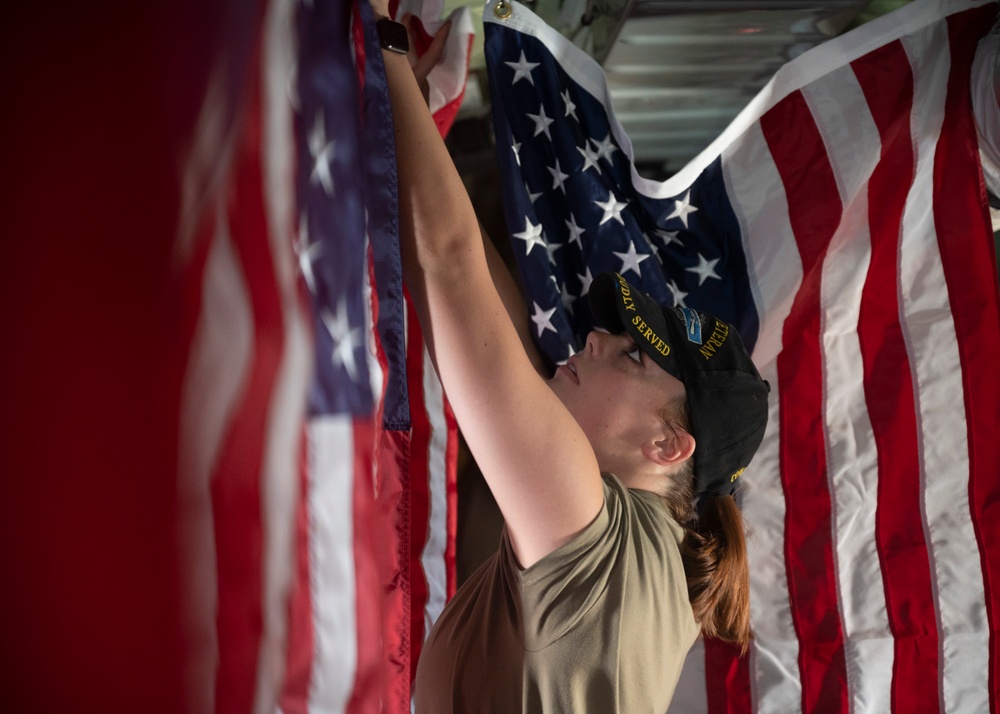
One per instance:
(96,101)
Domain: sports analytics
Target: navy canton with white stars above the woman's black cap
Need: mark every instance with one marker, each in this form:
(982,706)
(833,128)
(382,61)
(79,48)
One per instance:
(576,207)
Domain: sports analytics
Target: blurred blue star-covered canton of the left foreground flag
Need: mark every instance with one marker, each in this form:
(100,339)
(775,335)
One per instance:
(331,236)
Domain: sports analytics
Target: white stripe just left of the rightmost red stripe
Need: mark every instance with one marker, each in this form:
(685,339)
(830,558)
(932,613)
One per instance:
(931,339)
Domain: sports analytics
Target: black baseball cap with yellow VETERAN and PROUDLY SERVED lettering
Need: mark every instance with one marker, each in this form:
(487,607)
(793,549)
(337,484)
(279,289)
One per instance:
(727,399)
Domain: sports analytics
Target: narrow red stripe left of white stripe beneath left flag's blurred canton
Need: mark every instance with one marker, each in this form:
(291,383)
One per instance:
(294,697)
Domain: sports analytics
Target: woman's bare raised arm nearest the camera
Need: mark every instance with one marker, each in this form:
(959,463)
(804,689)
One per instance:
(533,454)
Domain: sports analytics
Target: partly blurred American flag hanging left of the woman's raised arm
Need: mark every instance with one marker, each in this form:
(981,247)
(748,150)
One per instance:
(317,452)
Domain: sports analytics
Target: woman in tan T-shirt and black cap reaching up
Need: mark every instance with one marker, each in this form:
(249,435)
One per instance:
(607,572)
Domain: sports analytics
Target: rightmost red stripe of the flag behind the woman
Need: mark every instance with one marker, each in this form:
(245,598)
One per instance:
(965,241)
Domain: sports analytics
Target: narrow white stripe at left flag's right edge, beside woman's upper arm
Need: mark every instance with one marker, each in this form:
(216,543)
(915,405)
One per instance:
(432,556)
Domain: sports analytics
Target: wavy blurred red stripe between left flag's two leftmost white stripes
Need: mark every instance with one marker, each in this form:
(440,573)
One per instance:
(236,487)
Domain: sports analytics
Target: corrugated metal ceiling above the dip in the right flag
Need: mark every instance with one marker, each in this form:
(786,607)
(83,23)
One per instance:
(680,70)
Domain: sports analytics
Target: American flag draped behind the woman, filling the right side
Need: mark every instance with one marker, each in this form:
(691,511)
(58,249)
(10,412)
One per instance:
(841,223)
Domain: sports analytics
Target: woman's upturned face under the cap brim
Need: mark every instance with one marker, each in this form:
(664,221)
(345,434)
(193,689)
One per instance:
(616,393)
